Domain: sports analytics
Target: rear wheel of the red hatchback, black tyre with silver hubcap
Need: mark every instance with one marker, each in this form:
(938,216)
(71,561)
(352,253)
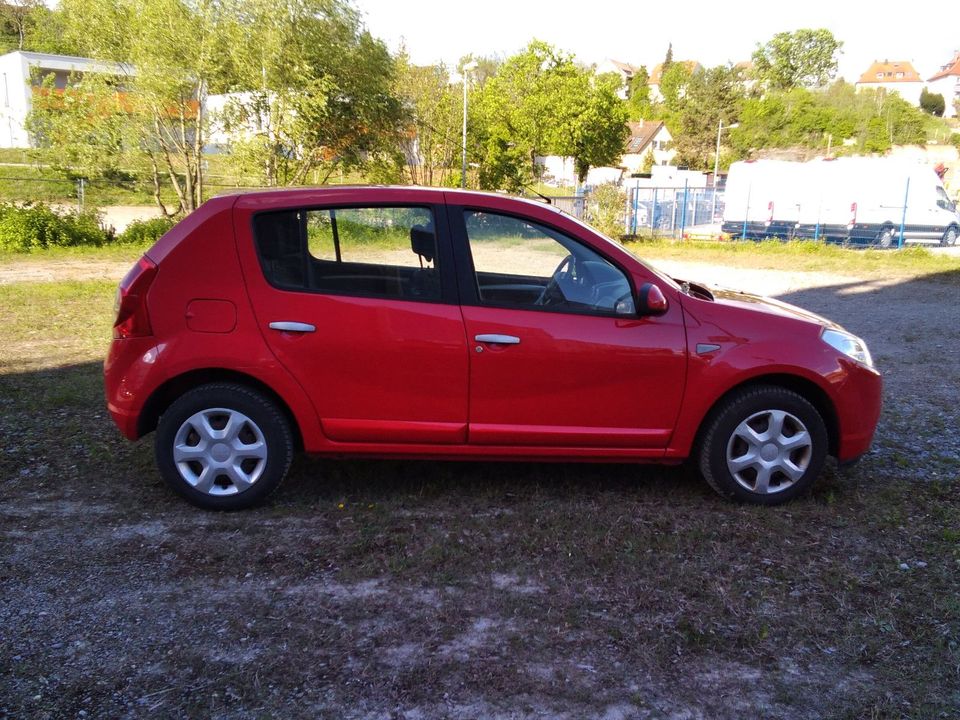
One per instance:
(223,446)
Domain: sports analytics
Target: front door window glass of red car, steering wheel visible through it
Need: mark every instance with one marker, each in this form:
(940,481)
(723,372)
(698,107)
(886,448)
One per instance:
(525,265)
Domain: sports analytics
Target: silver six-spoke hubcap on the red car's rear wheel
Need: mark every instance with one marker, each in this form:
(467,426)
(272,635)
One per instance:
(220,451)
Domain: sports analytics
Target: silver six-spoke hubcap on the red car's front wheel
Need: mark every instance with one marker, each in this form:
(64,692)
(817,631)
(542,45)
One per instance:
(769,451)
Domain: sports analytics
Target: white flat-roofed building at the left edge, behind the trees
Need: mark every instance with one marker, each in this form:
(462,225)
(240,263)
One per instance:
(21,74)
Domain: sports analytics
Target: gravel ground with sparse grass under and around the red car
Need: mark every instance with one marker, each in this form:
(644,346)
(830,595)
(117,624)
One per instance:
(419,590)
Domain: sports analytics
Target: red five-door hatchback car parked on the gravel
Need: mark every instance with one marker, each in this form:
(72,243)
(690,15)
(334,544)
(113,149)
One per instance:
(429,323)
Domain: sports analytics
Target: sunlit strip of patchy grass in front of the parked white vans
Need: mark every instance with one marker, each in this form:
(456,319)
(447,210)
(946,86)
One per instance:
(799,255)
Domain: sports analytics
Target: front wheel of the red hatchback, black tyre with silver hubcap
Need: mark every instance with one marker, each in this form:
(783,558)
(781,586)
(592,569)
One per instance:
(763,445)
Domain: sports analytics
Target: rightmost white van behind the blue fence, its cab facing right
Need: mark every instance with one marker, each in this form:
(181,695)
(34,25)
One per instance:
(866,201)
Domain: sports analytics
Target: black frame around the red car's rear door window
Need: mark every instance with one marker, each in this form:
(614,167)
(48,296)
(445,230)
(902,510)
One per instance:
(445,261)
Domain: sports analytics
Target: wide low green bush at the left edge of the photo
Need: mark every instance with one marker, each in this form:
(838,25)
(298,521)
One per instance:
(36,226)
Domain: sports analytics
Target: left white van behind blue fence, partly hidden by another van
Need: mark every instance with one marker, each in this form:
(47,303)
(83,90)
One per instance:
(762,199)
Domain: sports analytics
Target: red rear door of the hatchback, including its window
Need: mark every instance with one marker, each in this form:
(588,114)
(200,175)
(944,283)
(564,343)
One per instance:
(357,300)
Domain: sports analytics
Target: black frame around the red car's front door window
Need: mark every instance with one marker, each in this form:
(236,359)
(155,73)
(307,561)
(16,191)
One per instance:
(467,274)
